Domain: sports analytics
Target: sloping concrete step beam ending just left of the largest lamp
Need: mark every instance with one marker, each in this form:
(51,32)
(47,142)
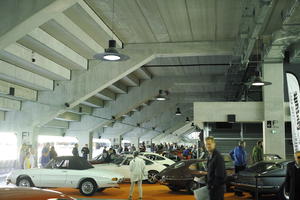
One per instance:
(79,33)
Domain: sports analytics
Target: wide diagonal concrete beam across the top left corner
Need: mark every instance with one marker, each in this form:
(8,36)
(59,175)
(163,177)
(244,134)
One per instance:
(36,14)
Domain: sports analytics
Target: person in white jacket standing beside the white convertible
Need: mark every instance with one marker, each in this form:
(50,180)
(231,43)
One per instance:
(137,172)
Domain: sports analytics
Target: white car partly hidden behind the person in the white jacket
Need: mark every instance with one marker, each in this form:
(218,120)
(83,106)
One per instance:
(121,165)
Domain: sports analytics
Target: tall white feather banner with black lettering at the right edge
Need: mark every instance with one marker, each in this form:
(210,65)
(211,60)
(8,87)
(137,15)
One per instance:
(293,89)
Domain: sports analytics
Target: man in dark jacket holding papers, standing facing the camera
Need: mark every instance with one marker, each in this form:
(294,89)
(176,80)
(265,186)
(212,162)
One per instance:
(216,173)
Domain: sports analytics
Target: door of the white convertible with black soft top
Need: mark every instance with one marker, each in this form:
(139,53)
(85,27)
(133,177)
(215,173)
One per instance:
(55,176)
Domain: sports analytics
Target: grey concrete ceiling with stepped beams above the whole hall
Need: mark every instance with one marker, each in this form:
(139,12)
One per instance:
(190,48)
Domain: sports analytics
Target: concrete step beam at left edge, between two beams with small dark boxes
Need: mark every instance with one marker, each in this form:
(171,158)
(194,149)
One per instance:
(10,73)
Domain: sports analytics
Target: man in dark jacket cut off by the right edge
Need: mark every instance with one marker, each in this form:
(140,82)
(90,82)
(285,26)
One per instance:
(293,178)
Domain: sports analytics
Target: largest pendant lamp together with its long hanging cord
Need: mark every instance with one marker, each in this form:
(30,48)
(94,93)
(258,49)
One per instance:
(111,53)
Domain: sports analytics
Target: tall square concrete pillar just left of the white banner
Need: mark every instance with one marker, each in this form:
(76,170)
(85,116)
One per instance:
(273,97)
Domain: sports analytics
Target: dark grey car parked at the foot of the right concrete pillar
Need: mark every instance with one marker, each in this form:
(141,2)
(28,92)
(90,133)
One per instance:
(246,181)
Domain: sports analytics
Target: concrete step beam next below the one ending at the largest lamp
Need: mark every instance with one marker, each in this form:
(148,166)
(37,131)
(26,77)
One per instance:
(46,45)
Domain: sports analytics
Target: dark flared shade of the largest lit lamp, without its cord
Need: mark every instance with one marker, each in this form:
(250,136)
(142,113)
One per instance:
(111,53)
